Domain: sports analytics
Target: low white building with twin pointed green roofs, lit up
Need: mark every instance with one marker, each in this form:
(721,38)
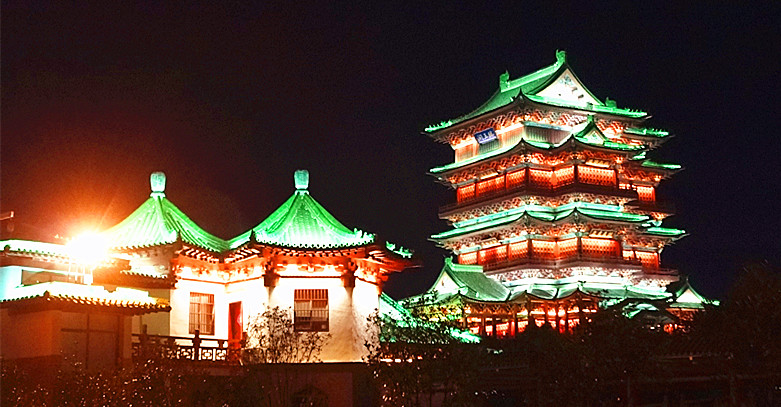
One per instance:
(168,277)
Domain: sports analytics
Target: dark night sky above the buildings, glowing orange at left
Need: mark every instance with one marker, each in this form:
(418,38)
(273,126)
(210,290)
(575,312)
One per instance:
(229,100)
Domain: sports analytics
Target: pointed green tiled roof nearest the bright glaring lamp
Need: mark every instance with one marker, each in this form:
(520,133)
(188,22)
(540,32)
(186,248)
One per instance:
(158,221)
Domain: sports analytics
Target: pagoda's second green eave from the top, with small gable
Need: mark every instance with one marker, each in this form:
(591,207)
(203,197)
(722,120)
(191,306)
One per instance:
(587,134)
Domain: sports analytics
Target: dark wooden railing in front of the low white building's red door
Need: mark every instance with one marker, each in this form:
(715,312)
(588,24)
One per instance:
(185,348)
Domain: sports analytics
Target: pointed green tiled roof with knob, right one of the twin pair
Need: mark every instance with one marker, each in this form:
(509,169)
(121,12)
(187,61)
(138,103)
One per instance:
(301,222)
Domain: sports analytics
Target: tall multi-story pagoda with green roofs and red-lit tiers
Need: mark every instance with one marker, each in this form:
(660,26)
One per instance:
(555,211)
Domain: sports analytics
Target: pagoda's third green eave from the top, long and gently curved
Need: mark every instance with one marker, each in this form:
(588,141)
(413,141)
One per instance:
(543,213)
